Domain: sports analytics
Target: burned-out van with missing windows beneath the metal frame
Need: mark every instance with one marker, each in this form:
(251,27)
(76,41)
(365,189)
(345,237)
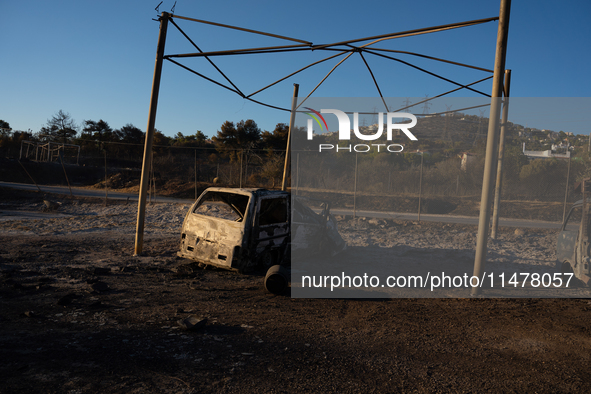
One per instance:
(250,229)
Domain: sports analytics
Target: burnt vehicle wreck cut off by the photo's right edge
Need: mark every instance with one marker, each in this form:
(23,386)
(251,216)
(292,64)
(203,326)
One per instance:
(573,248)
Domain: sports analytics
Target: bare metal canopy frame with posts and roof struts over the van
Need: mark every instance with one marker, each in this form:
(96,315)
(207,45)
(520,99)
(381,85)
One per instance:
(347,49)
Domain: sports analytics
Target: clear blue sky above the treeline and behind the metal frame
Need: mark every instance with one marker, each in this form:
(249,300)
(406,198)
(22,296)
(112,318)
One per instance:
(95,60)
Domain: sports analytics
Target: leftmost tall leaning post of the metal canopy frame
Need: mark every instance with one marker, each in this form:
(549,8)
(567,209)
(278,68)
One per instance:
(141,212)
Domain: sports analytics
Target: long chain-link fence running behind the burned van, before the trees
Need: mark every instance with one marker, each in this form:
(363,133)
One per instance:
(397,182)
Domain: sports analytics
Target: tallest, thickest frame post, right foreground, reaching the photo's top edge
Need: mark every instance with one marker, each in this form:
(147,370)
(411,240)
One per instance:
(491,144)
